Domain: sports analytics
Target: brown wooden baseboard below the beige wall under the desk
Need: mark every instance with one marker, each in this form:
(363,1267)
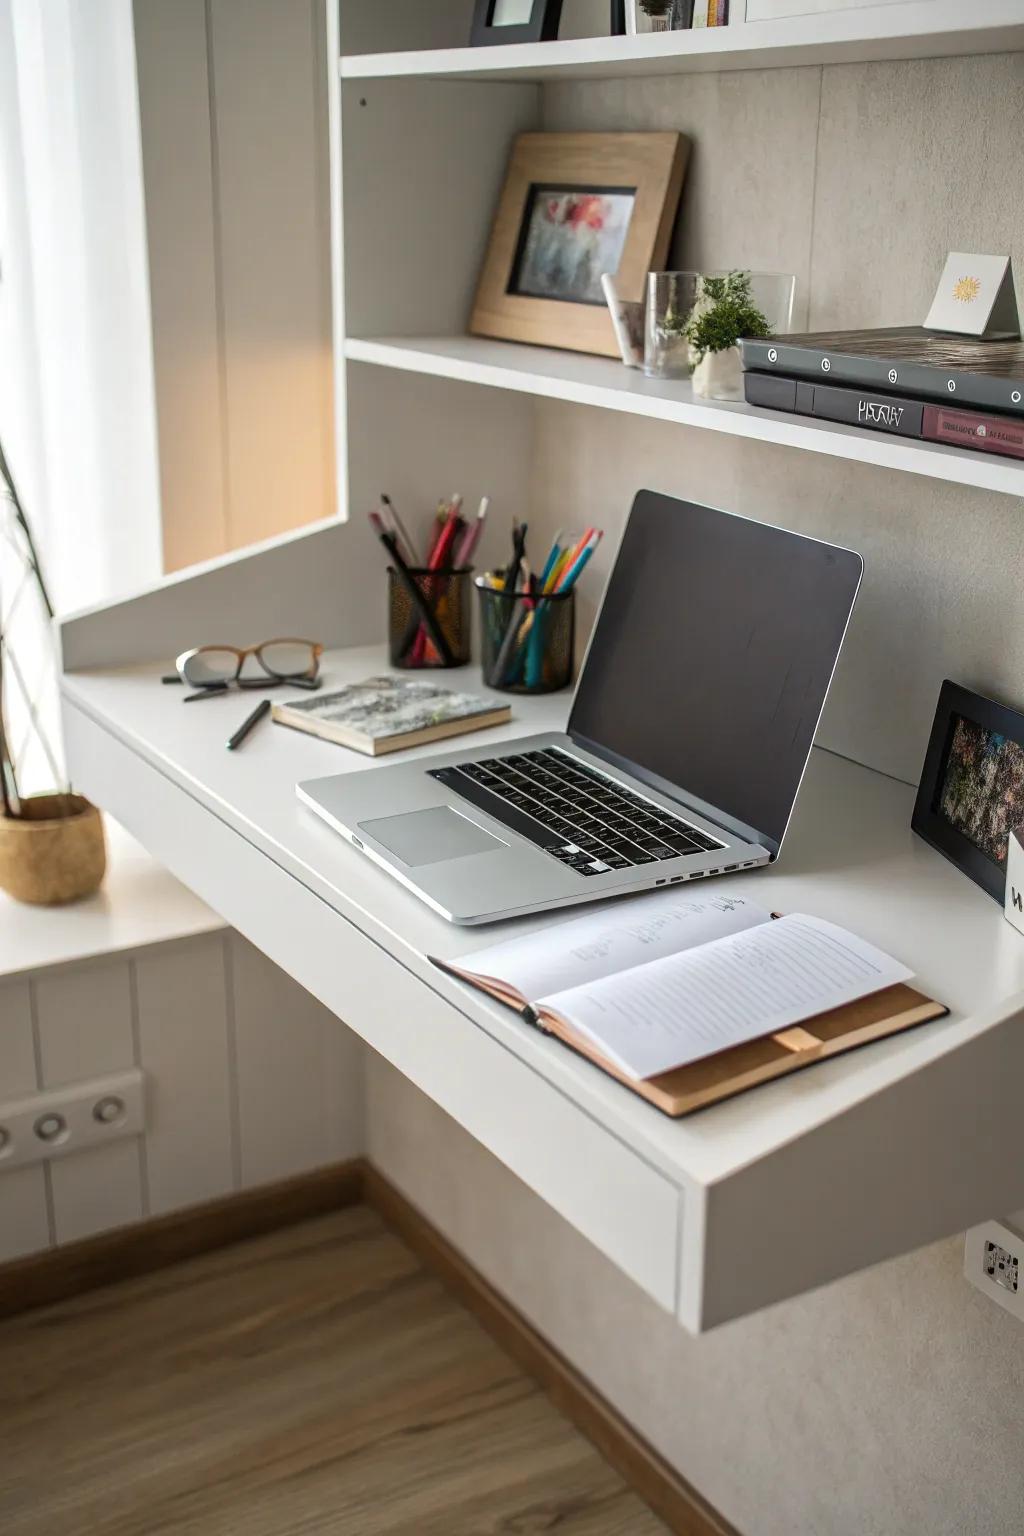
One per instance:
(669,1495)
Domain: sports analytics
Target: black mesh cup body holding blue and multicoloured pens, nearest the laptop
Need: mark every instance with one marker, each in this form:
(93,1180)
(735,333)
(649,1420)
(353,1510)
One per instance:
(527,643)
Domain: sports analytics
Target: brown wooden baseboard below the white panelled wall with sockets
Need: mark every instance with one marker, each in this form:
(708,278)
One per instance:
(128,1253)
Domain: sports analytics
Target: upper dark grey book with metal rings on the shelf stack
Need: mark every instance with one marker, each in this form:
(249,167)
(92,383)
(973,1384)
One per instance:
(908,360)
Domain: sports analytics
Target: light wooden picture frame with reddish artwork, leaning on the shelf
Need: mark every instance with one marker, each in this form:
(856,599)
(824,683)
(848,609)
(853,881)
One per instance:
(573,208)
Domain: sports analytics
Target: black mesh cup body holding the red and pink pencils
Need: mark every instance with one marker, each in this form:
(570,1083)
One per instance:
(429,617)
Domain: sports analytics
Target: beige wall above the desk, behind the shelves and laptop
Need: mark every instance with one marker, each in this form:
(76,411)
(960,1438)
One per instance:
(859,179)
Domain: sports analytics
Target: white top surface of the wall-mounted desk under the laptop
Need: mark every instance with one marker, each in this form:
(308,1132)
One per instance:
(850,858)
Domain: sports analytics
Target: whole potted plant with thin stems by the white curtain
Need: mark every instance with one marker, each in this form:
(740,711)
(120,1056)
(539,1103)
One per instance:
(51,846)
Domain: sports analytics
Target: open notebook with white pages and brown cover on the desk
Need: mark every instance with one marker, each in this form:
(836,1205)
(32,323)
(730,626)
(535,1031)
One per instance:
(690,999)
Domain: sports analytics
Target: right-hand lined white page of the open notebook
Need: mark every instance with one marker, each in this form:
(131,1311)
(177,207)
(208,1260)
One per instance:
(753,984)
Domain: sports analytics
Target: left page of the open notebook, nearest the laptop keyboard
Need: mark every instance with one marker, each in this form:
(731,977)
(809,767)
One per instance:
(612,939)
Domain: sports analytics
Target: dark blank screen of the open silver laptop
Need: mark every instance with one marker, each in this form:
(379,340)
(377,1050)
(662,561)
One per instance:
(713,655)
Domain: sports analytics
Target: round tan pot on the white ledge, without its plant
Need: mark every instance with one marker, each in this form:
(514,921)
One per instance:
(48,858)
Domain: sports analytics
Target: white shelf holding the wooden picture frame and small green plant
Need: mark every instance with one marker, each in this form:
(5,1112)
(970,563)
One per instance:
(610,386)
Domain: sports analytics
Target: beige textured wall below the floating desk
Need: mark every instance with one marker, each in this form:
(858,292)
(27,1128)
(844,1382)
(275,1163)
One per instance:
(880,1406)
